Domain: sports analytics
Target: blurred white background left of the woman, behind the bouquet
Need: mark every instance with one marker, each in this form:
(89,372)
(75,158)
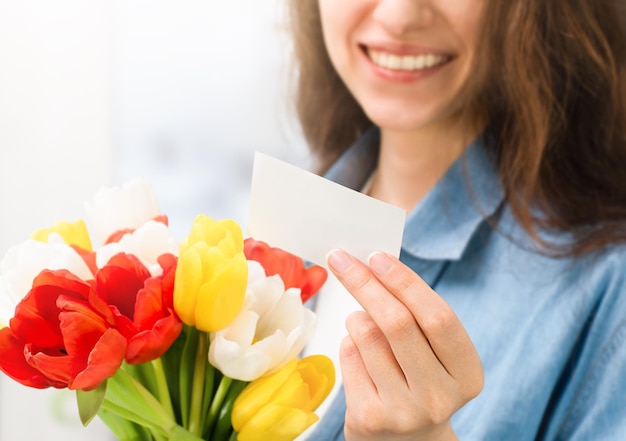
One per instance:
(96,92)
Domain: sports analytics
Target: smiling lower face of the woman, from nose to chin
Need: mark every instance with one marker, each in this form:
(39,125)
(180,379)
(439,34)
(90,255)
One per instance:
(367,46)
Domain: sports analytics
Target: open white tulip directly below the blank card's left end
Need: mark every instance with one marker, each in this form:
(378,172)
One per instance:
(272,329)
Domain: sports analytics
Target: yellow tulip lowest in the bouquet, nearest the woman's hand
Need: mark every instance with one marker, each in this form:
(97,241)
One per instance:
(280,406)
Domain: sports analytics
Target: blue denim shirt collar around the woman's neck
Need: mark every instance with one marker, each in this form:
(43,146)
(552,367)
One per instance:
(444,222)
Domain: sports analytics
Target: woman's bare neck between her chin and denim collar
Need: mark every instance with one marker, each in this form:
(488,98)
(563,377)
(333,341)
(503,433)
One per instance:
(411,162)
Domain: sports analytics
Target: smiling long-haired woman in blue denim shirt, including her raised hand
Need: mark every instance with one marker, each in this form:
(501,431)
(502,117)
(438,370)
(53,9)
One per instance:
(500,126)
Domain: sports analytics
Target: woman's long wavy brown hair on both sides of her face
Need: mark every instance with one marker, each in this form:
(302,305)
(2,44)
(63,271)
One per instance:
(552,86)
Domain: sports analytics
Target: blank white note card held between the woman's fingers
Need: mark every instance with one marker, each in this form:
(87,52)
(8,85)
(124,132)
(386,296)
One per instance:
(308,215)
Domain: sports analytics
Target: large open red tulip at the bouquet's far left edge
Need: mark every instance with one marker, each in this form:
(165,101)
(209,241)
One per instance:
(57,339)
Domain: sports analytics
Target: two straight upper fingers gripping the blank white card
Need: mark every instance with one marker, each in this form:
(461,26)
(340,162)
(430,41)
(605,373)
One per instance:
(422,330)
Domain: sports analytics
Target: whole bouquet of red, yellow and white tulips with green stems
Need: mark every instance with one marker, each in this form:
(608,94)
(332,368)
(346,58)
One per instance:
(164,341)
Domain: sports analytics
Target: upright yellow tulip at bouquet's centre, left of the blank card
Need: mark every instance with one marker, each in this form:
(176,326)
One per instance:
(211,275)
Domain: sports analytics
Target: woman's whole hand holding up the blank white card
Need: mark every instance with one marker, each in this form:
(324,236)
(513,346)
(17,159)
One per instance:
(407,363)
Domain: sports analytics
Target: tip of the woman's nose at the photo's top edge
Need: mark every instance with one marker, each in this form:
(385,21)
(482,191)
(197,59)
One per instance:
(401,17)
